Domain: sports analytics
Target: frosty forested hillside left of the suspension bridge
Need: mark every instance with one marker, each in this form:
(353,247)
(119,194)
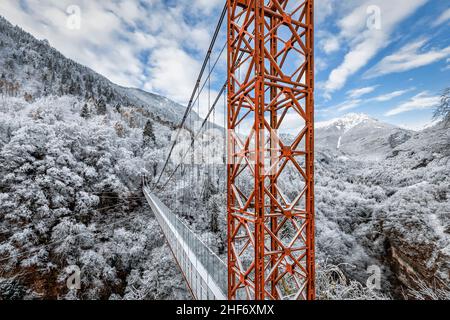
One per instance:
(73,148)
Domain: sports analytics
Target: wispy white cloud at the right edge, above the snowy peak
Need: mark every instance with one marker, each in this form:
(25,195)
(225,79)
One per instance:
(409,57)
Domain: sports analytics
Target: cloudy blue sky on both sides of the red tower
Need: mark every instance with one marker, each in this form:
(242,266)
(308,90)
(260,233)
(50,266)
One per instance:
(389,59)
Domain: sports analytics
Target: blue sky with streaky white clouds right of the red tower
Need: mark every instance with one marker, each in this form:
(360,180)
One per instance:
(394,73)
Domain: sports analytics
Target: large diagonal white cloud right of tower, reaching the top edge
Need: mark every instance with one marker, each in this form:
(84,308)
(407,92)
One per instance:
(366,42)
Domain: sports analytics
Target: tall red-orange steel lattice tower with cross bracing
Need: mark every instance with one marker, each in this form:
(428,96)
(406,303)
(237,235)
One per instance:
(270,149)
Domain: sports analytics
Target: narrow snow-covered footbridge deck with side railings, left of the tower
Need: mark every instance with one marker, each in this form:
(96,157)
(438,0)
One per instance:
(205,273)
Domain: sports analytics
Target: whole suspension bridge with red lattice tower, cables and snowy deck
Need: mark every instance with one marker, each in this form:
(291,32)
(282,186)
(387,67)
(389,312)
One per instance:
(268,157)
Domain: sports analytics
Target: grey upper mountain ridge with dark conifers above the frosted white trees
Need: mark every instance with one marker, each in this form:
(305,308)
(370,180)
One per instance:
(39,70)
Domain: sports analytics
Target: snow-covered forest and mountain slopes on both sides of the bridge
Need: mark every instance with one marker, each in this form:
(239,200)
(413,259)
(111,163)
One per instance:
(73,147)
